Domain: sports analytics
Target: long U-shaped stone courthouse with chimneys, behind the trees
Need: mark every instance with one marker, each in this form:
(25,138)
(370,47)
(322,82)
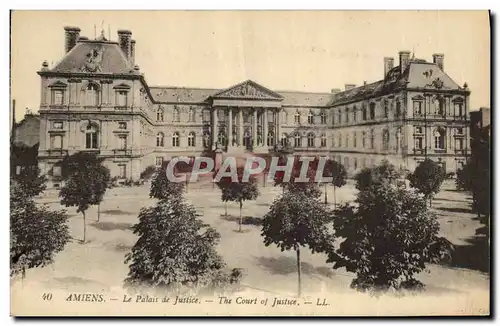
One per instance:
(96,99)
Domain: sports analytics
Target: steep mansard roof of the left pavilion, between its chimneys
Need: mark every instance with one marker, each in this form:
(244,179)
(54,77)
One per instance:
(98,56)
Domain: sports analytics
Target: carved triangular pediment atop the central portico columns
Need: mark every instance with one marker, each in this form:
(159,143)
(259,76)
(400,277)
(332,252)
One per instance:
(248,90)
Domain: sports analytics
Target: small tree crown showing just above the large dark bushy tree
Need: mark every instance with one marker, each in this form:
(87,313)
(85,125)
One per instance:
(380,175)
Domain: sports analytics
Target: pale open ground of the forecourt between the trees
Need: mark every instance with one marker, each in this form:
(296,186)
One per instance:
(98,265)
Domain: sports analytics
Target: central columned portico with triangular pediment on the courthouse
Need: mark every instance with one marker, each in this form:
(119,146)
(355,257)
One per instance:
(245,118)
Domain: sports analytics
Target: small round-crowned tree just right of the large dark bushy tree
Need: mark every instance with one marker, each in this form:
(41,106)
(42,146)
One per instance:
(427,178)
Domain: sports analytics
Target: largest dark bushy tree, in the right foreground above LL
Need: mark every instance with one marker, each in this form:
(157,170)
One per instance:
(390,235)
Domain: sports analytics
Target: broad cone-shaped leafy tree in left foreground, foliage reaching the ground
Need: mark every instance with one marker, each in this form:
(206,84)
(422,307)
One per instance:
(175,249)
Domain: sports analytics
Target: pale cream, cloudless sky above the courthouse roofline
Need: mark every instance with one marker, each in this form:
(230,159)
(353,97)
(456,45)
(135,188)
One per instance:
(283,50)
